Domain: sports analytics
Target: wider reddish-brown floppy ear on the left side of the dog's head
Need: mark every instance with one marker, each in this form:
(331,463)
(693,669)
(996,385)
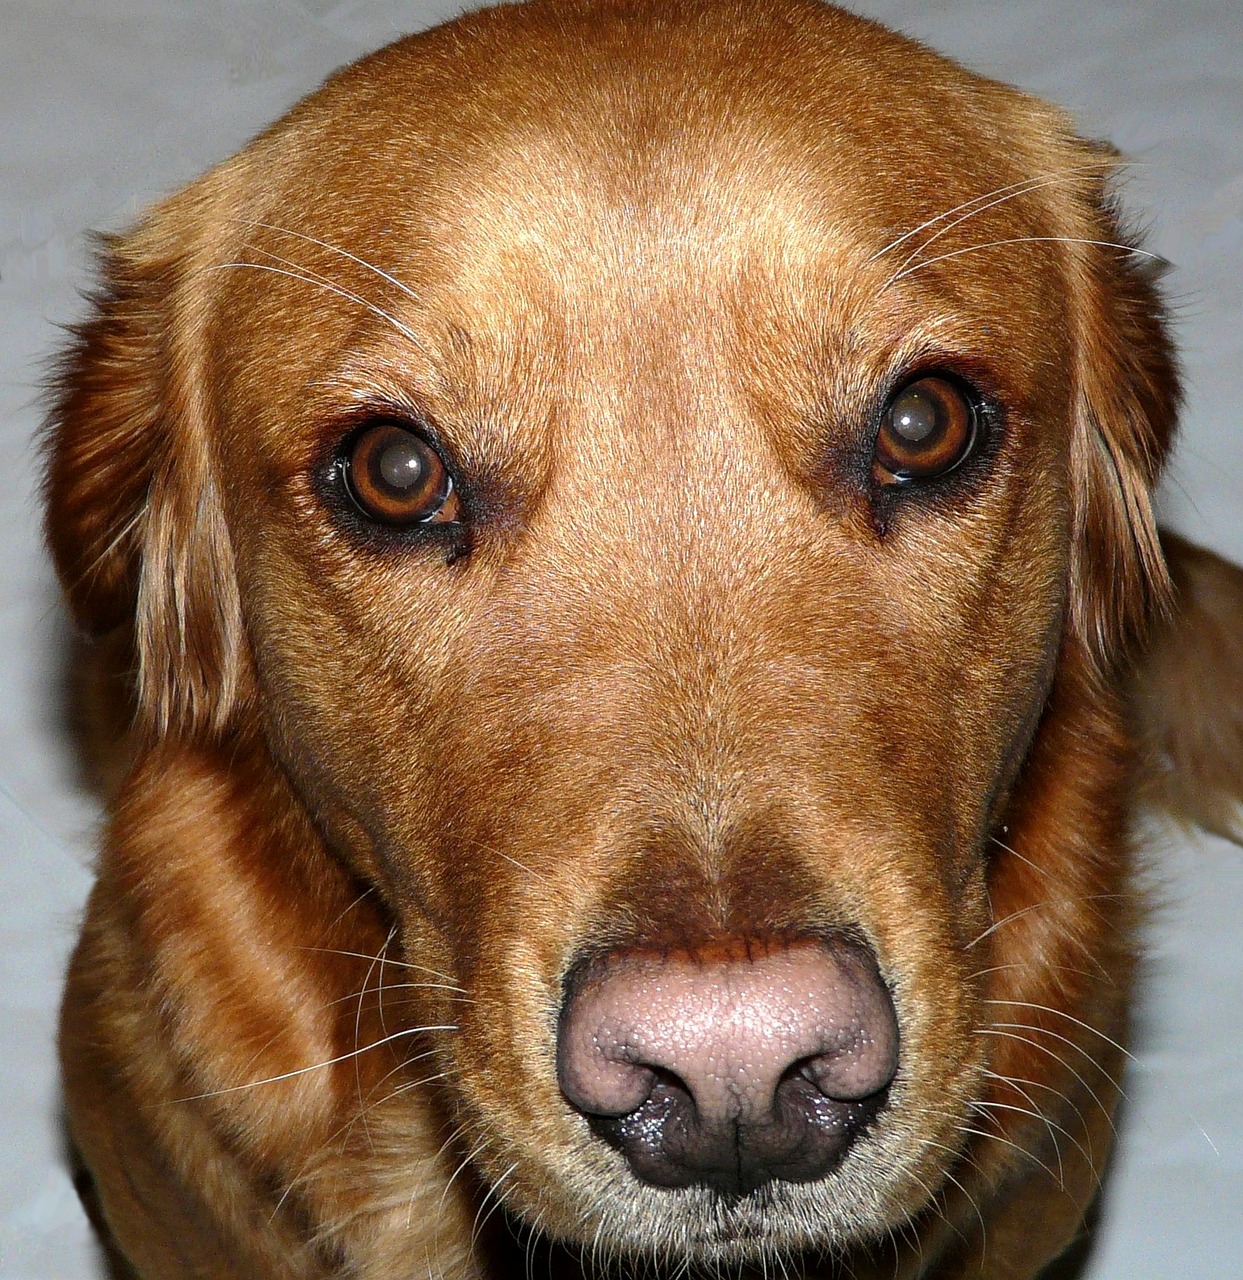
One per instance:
(134,518)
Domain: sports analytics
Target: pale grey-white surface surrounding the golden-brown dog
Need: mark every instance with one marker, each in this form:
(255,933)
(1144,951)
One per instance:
(109,103)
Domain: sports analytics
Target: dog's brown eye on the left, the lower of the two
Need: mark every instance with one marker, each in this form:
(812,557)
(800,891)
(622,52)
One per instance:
(397,478)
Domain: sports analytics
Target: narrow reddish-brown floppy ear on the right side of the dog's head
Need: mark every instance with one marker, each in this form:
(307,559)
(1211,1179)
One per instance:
(1128,399)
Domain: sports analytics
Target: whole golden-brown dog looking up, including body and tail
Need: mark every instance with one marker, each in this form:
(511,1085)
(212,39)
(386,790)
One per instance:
(629,533)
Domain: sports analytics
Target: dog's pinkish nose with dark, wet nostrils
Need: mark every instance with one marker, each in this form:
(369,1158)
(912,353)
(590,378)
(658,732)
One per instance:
(733,1066)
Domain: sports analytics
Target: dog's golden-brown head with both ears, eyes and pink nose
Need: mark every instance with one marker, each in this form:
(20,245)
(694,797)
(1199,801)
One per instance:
(646,474)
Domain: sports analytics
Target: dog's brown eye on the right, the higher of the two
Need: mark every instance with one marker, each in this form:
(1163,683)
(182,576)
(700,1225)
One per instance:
(929,429)
